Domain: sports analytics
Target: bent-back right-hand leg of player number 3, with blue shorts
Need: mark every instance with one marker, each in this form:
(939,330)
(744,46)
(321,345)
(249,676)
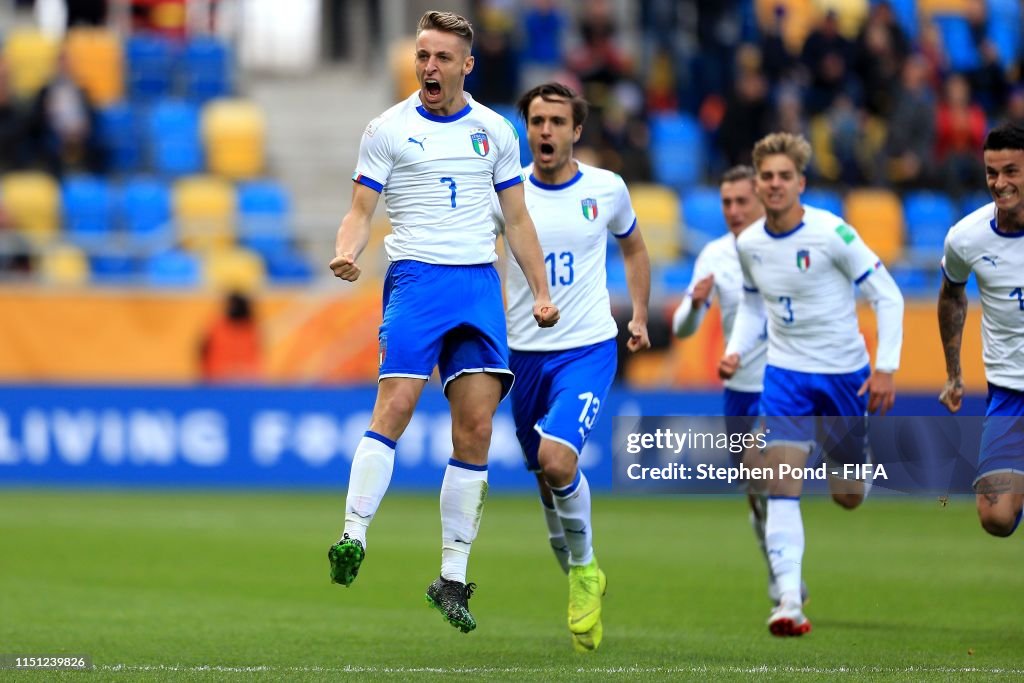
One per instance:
(845,434)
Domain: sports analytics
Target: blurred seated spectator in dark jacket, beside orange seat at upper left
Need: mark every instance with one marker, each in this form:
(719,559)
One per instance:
(62,125)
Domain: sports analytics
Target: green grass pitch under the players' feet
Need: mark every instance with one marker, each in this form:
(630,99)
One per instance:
(165,584)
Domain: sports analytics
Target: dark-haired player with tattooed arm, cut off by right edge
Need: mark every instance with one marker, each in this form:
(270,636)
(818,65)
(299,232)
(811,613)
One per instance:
(990,244)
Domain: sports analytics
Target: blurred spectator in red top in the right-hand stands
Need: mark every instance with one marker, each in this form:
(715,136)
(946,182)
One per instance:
(960,132)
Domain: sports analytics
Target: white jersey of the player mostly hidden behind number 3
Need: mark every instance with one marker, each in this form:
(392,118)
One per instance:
(721,260)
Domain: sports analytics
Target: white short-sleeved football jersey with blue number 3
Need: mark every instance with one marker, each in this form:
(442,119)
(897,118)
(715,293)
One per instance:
(806,279)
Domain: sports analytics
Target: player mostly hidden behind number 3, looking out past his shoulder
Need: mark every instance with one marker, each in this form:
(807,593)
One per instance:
(717,274)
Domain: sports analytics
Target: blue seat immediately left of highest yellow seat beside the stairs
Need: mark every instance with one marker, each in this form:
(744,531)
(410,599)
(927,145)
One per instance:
(174,138)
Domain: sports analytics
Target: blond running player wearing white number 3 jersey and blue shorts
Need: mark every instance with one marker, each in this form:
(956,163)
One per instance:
(801,264)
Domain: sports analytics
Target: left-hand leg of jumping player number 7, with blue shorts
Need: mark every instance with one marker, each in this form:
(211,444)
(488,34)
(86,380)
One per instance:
(410,343)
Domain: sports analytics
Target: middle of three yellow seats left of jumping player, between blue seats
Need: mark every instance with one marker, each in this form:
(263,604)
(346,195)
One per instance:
(204,210)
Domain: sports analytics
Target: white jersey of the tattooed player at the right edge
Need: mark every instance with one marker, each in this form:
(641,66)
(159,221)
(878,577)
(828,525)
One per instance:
(975,244)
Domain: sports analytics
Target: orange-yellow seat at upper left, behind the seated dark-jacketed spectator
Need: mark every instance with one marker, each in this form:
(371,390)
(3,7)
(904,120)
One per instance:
(96,59)
